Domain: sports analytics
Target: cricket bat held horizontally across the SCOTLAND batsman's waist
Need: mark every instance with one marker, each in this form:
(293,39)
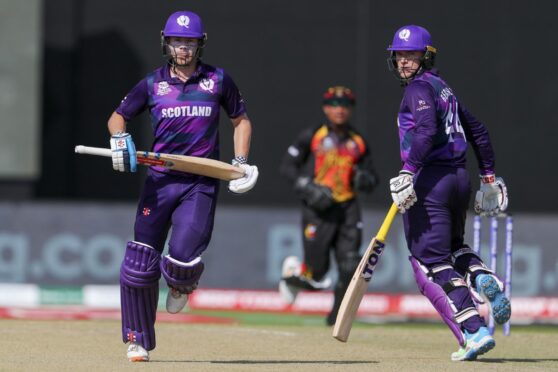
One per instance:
(188,164)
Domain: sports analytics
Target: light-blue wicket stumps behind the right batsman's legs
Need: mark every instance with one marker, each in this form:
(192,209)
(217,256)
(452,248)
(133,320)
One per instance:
(477,226)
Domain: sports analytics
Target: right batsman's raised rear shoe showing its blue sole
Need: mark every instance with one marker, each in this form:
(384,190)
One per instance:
(491,290)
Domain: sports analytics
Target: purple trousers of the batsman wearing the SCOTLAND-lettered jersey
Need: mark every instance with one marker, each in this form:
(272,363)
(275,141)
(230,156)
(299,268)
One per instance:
(185,202)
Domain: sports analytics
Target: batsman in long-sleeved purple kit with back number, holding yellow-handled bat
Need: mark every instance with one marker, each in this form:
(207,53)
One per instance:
(433,190)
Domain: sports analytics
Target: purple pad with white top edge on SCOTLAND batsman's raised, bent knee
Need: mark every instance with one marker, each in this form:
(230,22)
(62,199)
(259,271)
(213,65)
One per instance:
(183,276)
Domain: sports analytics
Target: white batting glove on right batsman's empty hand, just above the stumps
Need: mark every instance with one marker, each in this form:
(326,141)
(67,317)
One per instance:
(492,198)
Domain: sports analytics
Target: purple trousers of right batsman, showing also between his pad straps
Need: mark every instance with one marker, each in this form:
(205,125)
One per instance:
(435,228)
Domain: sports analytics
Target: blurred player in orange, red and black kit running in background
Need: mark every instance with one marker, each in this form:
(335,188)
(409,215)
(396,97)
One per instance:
(327,164)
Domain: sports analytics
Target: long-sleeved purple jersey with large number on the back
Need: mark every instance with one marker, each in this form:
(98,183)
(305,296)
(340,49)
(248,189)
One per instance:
(434,127)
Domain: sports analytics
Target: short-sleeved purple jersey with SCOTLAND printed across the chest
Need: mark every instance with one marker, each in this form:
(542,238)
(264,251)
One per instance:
(184,115)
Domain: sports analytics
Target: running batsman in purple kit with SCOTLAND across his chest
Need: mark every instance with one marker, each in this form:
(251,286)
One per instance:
(183,97)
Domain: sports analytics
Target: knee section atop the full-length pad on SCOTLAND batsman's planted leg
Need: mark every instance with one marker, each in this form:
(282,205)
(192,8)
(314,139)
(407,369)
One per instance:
(140,267)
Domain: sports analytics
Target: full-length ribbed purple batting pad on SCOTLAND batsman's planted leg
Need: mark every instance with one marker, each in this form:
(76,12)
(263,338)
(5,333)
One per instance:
(139,293)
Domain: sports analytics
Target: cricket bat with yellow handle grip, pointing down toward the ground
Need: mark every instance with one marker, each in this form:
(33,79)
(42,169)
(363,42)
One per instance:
(361,278)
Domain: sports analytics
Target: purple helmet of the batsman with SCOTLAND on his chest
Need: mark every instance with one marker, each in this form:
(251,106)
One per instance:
(183,24)
